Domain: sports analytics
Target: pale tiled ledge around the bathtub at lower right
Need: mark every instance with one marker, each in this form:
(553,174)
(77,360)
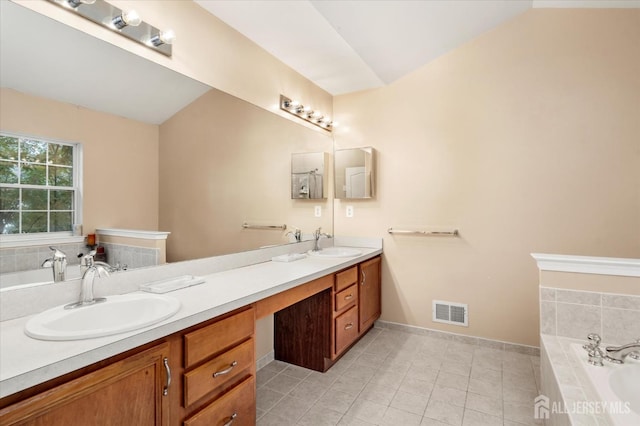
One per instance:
(572,397)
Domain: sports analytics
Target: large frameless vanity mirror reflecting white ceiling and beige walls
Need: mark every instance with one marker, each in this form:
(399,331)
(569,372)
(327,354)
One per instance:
(199,160)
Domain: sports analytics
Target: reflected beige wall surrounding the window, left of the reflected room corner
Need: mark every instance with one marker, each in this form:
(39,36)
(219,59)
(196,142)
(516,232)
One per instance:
(120,157)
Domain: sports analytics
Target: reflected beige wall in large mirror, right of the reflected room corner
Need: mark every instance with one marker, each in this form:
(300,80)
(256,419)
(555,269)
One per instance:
(224,161)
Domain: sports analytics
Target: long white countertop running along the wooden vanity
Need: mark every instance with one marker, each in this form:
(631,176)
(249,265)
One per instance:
(25,362)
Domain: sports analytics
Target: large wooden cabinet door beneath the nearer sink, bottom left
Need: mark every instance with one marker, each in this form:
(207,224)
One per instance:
(128,392)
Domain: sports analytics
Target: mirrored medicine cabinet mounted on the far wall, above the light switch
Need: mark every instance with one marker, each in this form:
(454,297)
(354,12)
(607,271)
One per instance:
(354,173)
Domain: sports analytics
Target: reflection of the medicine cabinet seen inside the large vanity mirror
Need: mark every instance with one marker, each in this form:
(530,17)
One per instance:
(309,175)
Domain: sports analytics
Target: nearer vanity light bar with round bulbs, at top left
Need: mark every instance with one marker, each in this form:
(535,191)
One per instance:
(126,23)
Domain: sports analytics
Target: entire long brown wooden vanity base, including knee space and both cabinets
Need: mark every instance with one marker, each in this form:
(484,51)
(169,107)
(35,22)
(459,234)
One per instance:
(212,364)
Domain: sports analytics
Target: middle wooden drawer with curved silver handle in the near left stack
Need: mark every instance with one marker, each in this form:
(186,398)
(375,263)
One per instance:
(219,373)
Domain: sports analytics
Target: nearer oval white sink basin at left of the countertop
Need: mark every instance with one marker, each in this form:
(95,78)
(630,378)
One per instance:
(118,314)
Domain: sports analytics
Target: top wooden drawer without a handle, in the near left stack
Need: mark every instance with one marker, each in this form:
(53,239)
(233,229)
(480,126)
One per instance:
(201,344)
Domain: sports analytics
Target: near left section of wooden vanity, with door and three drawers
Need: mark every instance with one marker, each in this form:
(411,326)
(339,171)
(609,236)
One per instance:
(212,371)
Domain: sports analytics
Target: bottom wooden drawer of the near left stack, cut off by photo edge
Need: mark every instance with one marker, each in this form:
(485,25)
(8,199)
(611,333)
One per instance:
(235,407)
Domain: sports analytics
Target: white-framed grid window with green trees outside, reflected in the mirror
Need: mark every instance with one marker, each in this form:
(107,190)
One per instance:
(39,185)
